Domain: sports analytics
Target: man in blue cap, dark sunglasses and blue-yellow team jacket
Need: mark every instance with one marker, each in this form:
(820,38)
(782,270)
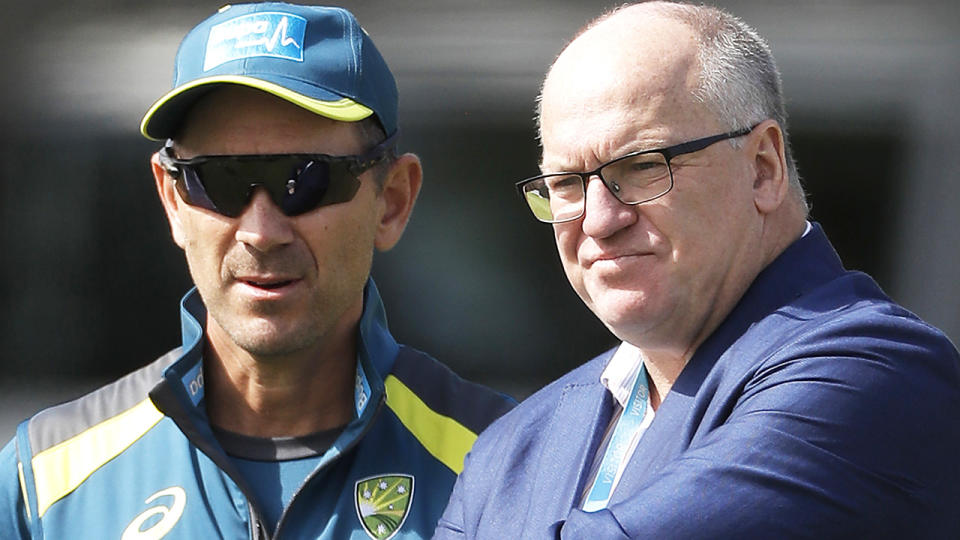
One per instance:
(289,411)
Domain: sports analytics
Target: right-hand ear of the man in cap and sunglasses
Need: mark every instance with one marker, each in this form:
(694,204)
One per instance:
(398,195)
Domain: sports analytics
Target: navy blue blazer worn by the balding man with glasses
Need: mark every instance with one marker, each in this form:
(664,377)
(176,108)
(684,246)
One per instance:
(818,409)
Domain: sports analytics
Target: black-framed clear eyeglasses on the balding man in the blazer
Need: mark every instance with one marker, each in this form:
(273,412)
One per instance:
(635,178)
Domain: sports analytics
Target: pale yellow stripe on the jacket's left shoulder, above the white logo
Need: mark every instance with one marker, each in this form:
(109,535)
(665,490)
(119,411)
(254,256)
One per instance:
(60,469)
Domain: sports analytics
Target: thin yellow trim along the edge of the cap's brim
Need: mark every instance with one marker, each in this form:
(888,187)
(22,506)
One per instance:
(344,109)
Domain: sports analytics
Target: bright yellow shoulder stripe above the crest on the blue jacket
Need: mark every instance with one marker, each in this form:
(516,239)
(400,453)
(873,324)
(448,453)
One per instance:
(445,438)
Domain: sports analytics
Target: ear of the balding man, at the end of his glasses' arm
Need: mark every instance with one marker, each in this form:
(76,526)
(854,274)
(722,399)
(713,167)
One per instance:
(772,181)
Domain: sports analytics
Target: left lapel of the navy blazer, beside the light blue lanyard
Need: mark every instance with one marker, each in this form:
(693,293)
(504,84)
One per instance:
(567,451)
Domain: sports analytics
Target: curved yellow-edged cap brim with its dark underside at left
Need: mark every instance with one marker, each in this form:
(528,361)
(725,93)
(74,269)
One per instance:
(163,118)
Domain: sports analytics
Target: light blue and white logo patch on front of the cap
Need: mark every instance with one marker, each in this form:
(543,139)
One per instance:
(275,34)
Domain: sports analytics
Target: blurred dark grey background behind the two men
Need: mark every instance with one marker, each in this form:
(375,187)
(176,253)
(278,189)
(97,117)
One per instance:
(91,279)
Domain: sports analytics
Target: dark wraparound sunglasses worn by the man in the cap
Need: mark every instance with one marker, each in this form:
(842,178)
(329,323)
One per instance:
(296,183)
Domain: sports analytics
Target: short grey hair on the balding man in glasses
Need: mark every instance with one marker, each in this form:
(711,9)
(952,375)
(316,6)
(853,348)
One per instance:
(739,81)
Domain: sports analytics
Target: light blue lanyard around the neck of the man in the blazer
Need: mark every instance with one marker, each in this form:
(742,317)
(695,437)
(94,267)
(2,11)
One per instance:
(628,424)
